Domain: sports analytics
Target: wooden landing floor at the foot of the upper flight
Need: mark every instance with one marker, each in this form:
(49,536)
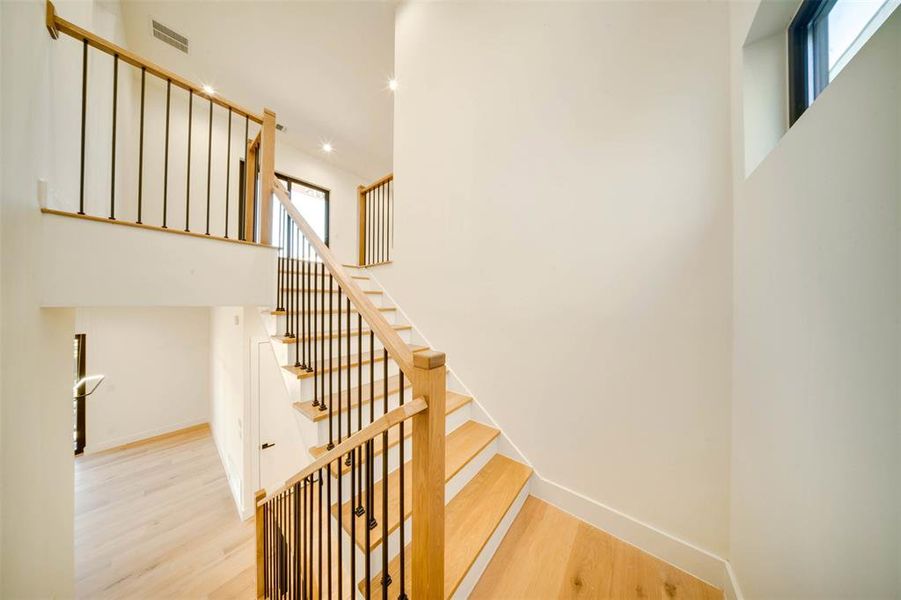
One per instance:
(548,553)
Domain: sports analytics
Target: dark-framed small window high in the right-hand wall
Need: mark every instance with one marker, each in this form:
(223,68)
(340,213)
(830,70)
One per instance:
(822,38)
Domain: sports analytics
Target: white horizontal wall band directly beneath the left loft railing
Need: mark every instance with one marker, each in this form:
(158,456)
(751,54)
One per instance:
(96,264)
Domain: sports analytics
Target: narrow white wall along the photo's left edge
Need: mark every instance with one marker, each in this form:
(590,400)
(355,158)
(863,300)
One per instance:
(36,555)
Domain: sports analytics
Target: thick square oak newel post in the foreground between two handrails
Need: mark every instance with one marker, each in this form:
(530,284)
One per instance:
(428,476)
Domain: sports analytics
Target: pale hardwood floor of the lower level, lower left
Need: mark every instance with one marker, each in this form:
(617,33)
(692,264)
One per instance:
(157,520)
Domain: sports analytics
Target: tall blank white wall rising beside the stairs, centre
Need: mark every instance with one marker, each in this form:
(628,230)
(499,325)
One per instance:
(563,233)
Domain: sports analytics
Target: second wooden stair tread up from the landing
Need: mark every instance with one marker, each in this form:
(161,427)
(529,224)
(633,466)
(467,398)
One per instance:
(463,444)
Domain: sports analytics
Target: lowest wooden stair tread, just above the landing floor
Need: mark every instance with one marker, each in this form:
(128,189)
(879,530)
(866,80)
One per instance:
(470,519)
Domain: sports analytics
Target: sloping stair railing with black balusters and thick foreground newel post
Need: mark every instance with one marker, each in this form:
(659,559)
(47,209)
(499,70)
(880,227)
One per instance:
(340,338)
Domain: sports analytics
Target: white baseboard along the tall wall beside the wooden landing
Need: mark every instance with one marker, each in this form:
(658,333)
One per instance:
(682,554)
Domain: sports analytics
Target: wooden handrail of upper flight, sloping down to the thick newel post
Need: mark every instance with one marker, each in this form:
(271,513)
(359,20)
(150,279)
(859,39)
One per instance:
(397,349)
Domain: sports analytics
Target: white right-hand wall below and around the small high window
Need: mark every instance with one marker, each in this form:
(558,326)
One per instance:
(815,428)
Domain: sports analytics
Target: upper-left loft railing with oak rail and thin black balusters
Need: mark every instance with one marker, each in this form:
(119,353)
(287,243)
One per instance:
(198,170)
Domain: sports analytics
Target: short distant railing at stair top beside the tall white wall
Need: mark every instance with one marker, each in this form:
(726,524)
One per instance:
(375,216)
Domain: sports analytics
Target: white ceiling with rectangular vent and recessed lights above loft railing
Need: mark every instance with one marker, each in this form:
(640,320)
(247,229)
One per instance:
(321,66)
